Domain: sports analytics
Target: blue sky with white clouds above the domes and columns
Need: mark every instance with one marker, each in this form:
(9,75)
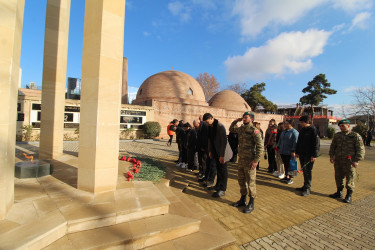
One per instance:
(282,43)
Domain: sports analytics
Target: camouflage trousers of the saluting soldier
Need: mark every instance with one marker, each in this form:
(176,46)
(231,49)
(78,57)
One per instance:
(246,178)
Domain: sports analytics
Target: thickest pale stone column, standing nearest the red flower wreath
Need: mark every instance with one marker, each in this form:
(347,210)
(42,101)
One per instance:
(103,43)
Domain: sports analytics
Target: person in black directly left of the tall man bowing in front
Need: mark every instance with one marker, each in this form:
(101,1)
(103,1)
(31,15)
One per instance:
(202,148)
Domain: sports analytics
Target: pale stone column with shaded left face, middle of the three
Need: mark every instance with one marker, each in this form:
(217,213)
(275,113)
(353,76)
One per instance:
(54,79)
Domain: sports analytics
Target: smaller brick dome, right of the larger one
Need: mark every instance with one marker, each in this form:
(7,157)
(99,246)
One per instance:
(230,100)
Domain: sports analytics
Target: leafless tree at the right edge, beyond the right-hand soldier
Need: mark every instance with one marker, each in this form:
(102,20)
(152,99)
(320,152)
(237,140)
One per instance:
(364,103)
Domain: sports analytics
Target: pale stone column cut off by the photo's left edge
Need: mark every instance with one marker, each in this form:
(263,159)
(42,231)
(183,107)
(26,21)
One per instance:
(11,13)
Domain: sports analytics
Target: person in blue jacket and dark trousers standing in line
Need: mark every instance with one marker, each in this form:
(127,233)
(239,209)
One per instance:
(287,147)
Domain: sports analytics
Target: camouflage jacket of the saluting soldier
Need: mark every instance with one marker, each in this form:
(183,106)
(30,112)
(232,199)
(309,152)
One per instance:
(250,143)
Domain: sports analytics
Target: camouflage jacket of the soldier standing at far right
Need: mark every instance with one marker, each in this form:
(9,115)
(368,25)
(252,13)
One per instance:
(345,144)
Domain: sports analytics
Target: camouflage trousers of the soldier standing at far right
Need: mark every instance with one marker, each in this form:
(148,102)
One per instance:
(343,169)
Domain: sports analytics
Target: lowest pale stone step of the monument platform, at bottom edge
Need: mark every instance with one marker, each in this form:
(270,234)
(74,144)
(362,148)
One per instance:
(131,235)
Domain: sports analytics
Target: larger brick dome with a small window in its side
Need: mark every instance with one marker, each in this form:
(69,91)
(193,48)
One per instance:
(174,86)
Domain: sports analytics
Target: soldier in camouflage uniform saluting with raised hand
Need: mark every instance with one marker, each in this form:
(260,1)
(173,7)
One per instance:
(249,152)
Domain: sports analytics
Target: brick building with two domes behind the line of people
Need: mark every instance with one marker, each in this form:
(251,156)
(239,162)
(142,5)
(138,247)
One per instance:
(176,95)
